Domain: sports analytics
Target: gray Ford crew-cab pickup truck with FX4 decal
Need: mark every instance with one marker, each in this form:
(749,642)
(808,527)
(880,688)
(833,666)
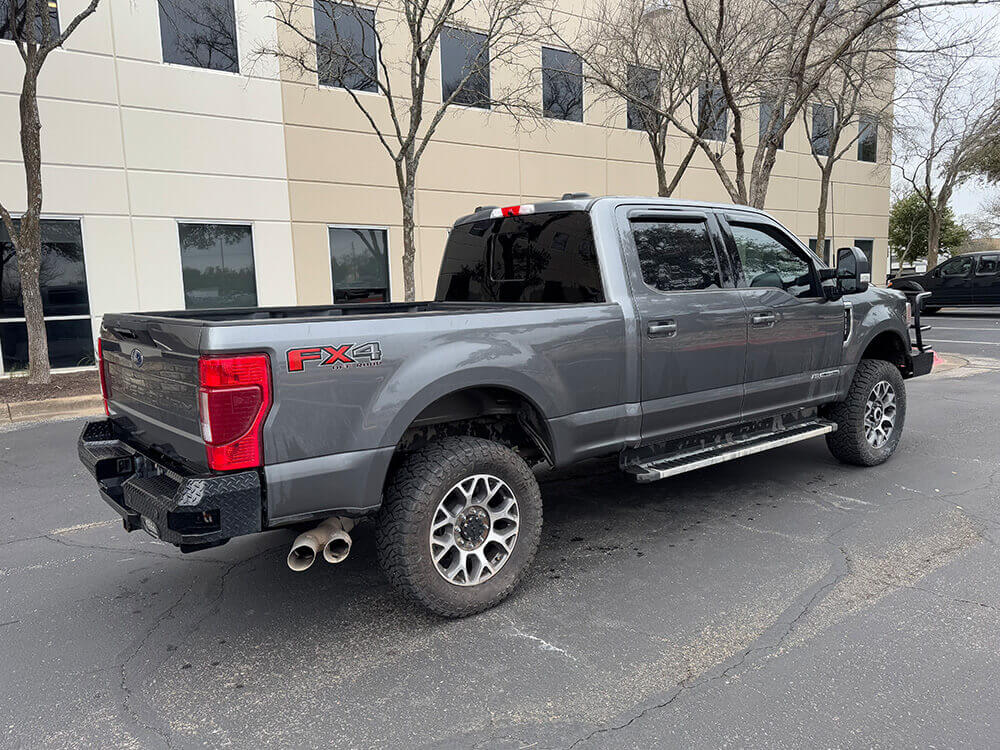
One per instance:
(674,335)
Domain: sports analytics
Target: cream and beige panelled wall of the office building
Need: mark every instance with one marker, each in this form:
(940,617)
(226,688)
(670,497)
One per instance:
(132,145)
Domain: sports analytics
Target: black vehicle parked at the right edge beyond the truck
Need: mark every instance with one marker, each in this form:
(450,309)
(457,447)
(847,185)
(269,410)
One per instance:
(962,281)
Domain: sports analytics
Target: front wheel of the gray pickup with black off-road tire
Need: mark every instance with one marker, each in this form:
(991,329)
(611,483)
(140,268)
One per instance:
(870,420)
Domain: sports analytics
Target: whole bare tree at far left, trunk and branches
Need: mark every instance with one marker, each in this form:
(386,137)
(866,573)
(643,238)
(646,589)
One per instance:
(35,33)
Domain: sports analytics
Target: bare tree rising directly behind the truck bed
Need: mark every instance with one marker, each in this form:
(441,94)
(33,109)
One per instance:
(358,47)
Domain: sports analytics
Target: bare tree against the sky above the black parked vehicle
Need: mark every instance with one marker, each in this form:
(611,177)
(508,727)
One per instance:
(952,116)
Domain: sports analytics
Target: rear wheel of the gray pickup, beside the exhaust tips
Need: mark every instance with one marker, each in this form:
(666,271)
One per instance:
(459,525)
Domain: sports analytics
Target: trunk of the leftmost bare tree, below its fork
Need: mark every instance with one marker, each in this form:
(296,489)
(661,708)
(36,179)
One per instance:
(29,244)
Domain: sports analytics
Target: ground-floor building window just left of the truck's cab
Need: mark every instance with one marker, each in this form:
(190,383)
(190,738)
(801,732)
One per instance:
(359,263)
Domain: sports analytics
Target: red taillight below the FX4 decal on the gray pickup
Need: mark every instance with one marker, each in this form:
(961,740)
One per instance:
(233,400)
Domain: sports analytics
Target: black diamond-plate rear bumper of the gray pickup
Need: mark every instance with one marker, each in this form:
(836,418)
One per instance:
(191,512)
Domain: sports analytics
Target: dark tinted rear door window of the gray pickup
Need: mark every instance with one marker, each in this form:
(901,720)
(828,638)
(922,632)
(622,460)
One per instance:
(676,255)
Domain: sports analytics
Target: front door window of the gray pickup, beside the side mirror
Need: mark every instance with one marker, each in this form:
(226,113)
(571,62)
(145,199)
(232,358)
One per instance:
(766,258)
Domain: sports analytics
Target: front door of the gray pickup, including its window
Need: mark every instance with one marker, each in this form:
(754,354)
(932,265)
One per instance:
(795,334)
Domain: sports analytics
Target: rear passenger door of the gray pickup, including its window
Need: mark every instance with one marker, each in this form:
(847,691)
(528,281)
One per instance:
(692,322)
